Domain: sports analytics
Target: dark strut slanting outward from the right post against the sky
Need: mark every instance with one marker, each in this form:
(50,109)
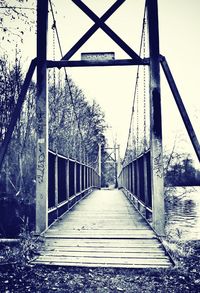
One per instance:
(181,107)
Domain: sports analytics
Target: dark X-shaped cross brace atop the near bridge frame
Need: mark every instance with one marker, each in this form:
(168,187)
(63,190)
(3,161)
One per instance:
(100,23)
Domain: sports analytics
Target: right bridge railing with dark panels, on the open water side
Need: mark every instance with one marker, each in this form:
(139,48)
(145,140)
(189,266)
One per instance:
(135,181)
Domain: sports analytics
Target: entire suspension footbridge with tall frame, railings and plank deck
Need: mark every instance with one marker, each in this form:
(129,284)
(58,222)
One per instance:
(82,222)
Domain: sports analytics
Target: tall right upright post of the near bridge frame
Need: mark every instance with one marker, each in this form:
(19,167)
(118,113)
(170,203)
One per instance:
(155,119)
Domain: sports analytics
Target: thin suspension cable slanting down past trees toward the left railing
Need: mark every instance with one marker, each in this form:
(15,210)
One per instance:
(66,75)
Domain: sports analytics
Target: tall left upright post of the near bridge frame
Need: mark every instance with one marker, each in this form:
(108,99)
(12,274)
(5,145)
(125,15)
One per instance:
(42,119)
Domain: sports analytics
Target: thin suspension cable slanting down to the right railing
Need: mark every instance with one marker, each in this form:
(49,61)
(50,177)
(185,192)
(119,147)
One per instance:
(136,82)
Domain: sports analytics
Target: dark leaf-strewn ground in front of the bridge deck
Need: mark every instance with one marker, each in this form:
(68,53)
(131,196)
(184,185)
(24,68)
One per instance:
(183,277)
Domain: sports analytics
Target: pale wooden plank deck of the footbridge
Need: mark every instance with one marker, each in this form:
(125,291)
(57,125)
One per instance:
(103,230)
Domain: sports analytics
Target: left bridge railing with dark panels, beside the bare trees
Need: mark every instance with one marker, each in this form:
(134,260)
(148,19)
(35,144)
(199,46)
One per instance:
(68,182)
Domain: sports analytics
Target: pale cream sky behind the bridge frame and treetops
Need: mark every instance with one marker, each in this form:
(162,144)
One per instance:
(113,87)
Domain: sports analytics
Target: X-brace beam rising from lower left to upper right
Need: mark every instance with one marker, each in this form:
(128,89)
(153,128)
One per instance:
(92,30)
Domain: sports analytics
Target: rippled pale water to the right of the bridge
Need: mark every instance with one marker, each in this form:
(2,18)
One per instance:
(183,215)
